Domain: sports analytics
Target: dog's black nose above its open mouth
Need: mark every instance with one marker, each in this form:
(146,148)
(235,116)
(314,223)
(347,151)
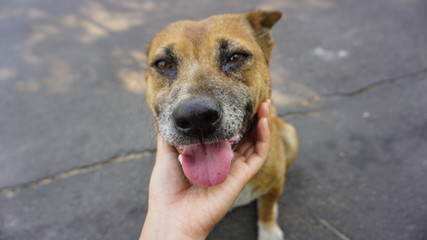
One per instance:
(197,117)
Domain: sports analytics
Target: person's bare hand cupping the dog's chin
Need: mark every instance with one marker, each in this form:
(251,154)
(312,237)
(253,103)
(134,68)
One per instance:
(179,209)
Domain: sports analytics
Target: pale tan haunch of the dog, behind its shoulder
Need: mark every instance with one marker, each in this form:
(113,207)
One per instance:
(290,138)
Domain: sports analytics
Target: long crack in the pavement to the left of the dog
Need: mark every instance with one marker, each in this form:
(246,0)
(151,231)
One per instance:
(10,192)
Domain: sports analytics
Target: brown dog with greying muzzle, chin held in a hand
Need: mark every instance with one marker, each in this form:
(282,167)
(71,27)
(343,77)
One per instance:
(205,82)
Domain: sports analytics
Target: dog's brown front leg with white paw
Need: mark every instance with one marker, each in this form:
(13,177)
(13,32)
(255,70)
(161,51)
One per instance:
(268,228)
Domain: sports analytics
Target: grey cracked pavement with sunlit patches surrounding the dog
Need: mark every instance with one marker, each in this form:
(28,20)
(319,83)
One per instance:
(77,139)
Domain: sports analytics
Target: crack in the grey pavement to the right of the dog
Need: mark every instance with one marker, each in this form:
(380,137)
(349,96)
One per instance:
(364,89)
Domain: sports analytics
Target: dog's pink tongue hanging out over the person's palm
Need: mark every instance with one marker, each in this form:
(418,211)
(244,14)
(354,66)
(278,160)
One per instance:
(207,164)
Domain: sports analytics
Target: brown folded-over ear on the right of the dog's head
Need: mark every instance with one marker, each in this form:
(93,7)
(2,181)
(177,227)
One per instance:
(262,22)
